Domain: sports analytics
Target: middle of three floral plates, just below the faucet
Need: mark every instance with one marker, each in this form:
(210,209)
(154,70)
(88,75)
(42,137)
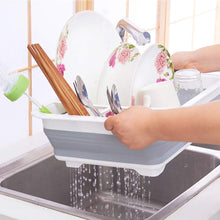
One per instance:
(119,69)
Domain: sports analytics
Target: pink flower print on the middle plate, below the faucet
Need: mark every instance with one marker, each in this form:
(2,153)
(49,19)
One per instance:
(123,54)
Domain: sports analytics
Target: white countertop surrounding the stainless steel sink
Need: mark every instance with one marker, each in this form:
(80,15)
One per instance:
(205,205)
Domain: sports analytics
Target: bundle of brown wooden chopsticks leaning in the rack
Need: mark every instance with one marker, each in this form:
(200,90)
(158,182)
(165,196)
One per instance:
(64,92)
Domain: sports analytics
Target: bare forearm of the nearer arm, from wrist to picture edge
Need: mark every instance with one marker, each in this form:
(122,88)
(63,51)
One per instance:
(199,124)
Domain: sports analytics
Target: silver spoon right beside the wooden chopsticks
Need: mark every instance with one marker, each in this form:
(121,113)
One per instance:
(82,94)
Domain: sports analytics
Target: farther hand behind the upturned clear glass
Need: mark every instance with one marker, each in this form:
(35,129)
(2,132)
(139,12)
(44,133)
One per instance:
(183,60)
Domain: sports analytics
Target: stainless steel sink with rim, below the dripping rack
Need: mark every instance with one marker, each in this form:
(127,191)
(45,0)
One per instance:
(98,192)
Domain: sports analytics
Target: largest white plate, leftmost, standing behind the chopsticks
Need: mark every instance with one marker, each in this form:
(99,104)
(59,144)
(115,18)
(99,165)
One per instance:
(84,45)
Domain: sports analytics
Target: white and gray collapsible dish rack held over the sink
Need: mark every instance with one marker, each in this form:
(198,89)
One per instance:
(81,140)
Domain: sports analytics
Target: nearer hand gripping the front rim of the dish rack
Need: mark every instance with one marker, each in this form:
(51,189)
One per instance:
(134,127)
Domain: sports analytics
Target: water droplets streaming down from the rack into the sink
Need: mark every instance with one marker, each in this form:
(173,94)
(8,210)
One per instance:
(110,191)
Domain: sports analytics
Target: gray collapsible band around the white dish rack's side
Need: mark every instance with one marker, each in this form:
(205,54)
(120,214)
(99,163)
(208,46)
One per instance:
(108,148)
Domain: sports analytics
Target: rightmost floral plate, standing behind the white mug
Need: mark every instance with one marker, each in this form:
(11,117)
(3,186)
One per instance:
(155,66)
